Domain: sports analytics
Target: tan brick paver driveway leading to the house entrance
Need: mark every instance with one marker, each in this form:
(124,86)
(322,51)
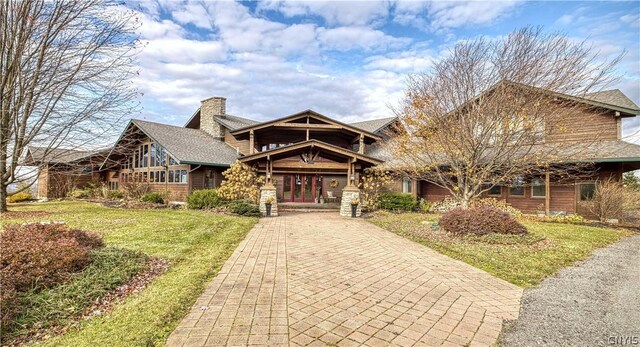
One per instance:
(321,279)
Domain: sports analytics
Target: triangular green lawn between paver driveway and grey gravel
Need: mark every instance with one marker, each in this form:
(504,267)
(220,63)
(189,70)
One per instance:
(521,260)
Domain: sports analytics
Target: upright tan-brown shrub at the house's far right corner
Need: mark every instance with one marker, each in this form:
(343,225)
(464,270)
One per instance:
(607,201)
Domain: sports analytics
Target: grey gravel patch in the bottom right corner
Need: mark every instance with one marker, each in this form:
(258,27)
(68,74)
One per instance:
(585,305)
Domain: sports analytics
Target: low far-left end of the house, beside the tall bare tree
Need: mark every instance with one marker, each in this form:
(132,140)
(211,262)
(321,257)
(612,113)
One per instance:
(61,170)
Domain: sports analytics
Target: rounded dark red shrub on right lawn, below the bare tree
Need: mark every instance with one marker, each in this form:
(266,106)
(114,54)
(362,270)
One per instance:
(480,221)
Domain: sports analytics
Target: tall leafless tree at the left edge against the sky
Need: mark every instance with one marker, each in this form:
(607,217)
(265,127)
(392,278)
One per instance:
(65,76)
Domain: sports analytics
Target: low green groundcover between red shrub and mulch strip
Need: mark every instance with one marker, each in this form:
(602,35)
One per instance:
(56,307)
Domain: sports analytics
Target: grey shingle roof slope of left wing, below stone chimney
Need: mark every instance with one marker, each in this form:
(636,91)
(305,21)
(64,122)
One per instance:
(186,145)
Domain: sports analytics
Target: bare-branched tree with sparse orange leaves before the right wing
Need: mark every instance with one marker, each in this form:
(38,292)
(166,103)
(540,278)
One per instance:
(492,111)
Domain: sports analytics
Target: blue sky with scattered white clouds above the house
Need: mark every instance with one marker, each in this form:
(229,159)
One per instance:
(348,60)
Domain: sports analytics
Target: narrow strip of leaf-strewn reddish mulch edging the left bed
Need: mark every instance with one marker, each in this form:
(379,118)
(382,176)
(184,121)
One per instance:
(104,305)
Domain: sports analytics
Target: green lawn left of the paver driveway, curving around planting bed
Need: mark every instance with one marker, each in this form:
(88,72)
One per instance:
(196,243)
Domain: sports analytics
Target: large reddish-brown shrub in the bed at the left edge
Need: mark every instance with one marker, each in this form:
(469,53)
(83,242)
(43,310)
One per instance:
(42,255)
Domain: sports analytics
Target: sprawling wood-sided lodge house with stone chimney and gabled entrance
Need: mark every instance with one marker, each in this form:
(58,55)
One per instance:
(308,157)
